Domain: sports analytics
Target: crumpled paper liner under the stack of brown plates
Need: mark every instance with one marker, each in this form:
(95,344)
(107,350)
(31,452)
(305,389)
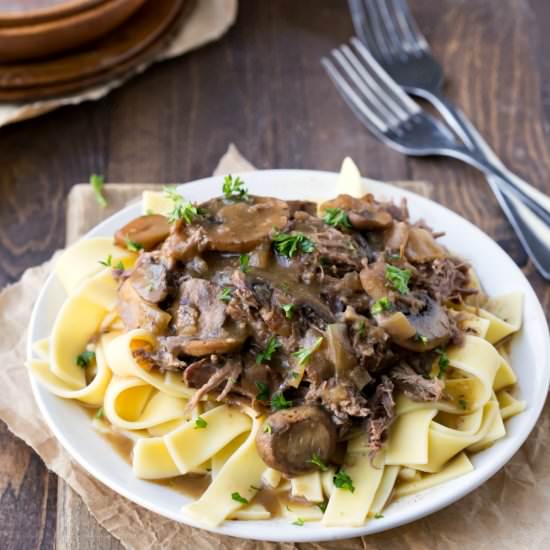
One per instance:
(209,20)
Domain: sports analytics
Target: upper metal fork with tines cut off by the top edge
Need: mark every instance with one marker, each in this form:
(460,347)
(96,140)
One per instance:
(390,32)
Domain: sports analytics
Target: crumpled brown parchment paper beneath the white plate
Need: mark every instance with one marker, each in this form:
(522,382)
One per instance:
(510,511)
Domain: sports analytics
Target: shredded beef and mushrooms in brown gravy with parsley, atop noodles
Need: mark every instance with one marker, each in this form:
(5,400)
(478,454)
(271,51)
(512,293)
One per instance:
(315,315)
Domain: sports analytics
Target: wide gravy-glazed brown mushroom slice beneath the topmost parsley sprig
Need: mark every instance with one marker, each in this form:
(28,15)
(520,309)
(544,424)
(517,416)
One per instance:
(241,226)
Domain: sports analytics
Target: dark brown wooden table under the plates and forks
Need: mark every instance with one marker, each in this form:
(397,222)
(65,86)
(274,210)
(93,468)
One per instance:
(261,87)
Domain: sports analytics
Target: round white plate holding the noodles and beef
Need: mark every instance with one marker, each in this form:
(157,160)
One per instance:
(498,274)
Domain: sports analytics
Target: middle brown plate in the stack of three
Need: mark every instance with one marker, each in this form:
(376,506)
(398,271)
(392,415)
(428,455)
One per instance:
(42,39)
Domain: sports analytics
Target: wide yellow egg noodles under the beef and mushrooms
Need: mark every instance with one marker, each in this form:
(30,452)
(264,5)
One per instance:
(428,443)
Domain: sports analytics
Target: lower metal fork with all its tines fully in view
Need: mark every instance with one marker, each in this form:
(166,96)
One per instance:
(389,113)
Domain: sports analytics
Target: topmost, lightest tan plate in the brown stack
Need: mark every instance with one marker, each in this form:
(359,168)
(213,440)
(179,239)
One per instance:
(27,12)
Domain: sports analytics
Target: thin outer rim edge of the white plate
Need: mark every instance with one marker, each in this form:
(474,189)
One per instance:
(291,533)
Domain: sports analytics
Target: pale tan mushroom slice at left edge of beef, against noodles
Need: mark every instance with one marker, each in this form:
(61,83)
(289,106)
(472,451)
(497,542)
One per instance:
(136,312)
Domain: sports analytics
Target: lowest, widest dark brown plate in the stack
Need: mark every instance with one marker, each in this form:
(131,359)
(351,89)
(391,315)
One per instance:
(154,25)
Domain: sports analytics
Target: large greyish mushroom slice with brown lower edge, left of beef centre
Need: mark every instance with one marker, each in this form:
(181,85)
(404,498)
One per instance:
(201,321)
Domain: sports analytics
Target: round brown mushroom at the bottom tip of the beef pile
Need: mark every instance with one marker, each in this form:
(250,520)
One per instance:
(294,436)
